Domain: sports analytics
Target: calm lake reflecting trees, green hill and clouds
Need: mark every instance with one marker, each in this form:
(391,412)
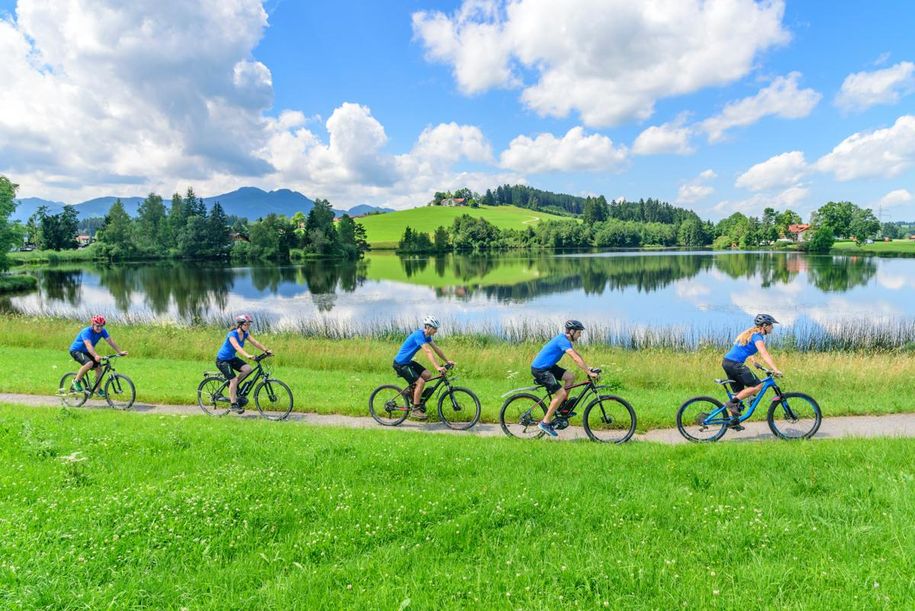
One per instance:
(609,290)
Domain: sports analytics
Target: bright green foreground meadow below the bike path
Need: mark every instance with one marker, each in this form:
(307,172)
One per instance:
(102,509)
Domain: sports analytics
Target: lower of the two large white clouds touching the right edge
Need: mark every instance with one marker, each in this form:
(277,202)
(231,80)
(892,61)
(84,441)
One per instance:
(884,152)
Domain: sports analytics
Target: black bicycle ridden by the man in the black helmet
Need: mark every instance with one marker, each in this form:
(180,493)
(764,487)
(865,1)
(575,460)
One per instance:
(607,419)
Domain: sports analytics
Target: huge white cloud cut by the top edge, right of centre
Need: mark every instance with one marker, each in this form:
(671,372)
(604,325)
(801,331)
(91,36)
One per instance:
(607,60)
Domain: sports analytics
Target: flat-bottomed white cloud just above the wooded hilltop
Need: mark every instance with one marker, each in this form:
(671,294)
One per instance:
(574,151)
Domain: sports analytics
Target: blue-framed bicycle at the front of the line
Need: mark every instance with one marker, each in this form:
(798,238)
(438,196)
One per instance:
(791,415)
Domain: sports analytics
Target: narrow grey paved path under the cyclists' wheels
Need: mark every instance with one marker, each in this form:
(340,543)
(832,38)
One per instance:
(891,425)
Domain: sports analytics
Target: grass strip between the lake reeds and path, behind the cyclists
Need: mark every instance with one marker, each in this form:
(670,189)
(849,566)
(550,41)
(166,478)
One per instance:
(337,376)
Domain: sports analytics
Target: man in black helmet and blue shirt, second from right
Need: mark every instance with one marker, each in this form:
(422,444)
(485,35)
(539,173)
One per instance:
(547,373)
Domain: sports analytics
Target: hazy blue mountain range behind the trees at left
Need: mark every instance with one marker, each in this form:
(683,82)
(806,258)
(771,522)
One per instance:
(247,202)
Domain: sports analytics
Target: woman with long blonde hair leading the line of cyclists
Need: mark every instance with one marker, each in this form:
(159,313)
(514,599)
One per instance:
(745,384)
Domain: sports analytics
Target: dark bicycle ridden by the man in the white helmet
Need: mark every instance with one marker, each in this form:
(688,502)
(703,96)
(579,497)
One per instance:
(390,404)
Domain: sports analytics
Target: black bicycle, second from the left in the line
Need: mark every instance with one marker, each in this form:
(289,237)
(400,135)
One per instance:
(272,397)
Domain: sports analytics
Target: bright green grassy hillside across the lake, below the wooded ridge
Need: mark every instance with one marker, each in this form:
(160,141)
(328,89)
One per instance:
(385,230)
